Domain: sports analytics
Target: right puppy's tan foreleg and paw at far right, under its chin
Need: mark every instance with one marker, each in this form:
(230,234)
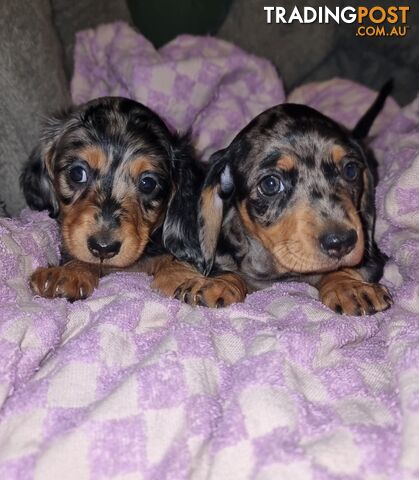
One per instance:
(346,291)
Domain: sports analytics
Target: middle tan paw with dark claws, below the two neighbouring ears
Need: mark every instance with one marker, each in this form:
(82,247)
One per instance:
(213,292)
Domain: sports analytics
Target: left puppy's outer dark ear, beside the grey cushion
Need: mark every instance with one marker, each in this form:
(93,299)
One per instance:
(36,177)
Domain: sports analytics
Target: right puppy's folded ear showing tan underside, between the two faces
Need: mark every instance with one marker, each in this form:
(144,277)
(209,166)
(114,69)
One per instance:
(217,190)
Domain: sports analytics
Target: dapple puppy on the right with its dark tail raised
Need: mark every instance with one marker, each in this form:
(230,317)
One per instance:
(292,198)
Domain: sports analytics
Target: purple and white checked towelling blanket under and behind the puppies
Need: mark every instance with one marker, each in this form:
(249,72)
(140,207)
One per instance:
(129,385)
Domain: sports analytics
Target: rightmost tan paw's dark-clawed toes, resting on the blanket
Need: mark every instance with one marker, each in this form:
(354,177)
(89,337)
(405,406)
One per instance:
(354,297)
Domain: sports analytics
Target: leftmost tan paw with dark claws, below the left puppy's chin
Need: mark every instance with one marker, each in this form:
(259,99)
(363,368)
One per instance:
(66,281)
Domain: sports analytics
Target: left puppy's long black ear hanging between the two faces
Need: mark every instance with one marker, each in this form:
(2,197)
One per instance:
(180,231)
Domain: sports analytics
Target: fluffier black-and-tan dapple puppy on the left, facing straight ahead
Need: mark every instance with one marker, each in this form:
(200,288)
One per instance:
(118,183)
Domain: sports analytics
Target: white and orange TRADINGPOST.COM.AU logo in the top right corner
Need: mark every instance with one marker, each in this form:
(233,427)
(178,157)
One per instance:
(371,21)
